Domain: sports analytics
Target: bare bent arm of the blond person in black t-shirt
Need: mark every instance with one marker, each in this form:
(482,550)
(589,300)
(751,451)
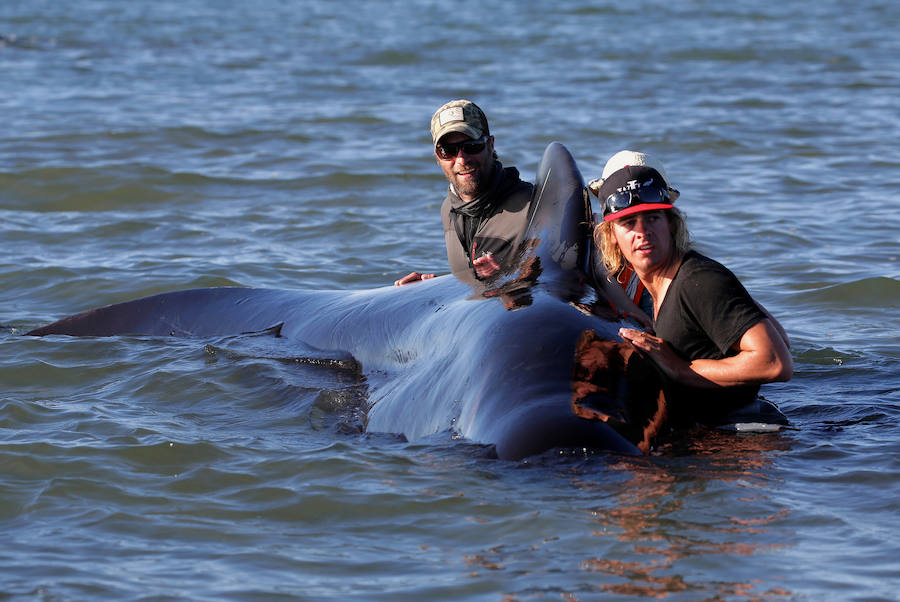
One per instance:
(762,357)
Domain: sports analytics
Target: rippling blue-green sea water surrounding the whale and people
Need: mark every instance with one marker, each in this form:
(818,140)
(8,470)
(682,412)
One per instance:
(148,147)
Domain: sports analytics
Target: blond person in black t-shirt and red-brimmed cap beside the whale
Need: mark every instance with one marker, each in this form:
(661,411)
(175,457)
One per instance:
(711,338)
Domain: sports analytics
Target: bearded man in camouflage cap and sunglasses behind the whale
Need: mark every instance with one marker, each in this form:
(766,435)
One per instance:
(486,209)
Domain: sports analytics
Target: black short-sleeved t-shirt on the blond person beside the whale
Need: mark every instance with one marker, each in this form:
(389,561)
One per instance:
(707,310)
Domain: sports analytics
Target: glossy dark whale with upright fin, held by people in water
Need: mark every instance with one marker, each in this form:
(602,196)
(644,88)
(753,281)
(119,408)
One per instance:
(495,362)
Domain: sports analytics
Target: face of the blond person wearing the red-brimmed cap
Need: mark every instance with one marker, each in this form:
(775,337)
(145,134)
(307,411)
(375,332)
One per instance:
(645,239)
